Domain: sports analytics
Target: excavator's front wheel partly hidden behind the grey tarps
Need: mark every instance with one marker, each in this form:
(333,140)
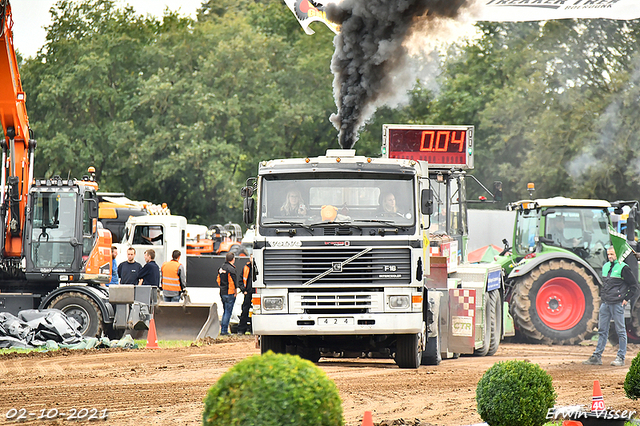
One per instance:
(83,309)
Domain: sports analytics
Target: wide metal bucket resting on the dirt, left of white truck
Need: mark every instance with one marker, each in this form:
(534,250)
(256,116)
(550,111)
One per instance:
(185,320)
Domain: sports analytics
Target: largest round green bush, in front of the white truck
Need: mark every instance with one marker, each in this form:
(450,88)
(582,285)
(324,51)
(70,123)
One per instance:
(273,390)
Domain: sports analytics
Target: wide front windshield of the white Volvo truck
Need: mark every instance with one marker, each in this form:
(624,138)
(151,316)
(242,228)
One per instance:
(360,201)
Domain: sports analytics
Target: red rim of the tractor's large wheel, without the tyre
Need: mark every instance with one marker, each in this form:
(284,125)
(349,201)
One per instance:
(560,303)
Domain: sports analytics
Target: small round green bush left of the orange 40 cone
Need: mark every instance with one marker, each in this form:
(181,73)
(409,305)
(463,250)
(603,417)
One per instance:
(515,393)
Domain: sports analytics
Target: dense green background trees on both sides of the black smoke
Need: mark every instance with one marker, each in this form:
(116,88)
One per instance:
(181,110)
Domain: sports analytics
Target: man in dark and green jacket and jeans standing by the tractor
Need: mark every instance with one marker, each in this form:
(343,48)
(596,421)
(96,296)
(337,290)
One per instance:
(619,286)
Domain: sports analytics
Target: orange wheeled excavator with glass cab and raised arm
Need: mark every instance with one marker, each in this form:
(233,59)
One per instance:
(53,253)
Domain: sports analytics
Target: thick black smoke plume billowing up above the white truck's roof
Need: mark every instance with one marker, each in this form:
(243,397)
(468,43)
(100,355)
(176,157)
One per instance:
(370,54)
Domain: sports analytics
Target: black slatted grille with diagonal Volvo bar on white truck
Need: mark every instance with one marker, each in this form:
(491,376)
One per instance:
(379,266)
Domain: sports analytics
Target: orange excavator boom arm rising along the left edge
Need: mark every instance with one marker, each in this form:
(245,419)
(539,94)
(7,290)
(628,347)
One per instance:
(18,145)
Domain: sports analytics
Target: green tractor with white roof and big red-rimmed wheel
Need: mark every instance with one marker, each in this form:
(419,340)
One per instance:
(554,266)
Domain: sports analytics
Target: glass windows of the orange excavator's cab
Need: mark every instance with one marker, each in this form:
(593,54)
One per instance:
(54,225)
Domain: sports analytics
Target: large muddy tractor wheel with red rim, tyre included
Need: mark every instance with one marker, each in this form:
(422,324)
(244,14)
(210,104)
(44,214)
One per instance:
(556,303)
